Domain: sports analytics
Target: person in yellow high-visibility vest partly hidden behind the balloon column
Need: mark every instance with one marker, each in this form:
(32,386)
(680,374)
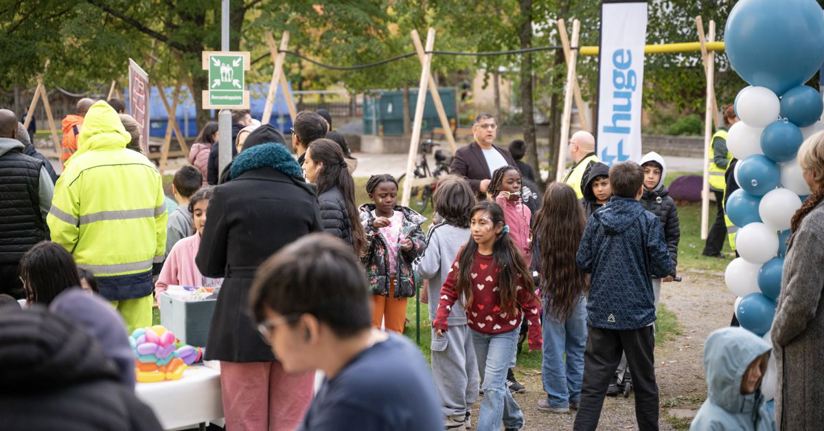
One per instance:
(719,159)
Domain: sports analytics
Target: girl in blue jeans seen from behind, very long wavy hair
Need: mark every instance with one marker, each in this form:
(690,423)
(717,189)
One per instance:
(558,230)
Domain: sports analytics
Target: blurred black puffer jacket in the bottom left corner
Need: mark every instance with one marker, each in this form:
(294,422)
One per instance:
(53,375)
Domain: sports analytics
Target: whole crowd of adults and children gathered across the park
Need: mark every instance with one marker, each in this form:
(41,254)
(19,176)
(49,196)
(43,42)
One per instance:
(310,281)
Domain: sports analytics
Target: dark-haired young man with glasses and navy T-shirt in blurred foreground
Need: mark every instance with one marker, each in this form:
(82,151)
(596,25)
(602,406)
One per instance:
(312,305)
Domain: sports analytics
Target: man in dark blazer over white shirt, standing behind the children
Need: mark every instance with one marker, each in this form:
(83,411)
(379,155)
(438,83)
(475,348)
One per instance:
(477,161)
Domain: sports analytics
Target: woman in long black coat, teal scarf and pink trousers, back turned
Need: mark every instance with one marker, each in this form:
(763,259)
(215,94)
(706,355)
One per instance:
(265,206)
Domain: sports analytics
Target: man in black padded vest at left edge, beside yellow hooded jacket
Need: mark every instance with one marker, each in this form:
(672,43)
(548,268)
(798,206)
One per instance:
(26,193)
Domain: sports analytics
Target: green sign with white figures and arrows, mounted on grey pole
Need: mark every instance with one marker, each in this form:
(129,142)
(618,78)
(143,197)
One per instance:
(226,79)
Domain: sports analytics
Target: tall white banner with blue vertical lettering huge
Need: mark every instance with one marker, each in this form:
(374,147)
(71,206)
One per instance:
(621,81)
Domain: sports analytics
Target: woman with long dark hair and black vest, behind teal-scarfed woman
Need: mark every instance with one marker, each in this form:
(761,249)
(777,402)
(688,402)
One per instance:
(325,166)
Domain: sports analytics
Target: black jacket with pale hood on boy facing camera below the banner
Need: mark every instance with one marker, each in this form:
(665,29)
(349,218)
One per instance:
(658,202)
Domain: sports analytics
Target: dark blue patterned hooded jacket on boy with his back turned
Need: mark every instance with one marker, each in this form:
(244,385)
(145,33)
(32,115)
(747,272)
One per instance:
(623,246)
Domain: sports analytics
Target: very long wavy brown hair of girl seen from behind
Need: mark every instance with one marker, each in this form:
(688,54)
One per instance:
(559,226)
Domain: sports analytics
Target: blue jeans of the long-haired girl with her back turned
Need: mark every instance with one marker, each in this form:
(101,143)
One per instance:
(562,379)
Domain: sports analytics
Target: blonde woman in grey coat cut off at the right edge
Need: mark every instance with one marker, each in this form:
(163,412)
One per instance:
(798,327)
